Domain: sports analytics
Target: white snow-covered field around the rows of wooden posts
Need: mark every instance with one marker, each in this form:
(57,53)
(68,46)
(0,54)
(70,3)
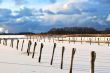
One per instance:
(17,61)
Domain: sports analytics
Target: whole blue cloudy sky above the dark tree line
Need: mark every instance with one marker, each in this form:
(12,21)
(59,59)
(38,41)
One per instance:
(41,15)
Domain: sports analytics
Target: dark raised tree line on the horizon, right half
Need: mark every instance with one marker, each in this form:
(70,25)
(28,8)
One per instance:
(78,30)
